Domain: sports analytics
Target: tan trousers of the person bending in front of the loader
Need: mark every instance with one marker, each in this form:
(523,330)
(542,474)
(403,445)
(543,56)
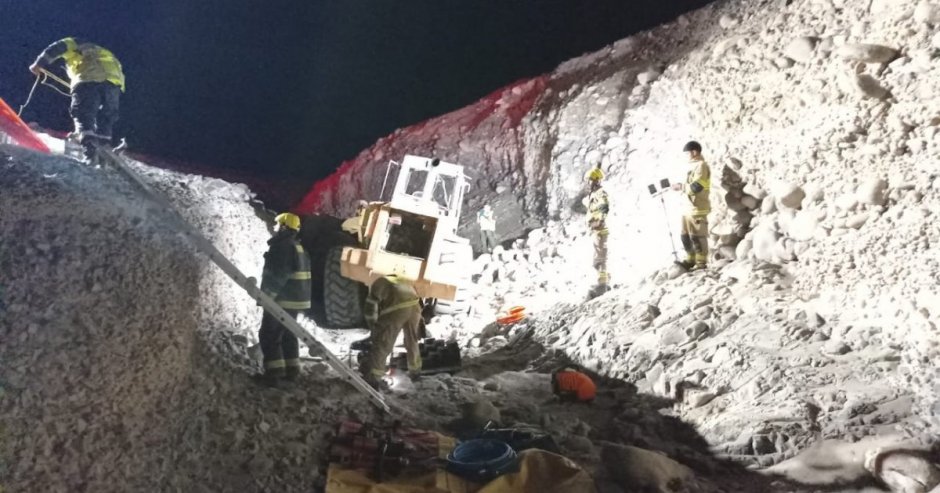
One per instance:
(385,332)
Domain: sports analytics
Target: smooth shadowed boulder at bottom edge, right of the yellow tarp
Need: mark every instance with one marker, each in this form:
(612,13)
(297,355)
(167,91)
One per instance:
(637,469)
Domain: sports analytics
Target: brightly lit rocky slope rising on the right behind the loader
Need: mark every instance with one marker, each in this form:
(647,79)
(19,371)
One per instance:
(820,119)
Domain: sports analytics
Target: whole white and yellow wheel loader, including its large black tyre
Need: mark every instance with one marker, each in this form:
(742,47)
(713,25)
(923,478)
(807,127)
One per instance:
(413,235)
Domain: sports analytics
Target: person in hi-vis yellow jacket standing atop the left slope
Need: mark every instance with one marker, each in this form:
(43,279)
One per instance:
(97,82)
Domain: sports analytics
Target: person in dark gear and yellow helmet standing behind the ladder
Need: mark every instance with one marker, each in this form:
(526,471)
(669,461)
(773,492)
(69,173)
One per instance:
(286,279)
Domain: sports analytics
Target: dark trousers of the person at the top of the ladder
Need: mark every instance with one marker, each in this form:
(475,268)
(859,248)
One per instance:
(95,107)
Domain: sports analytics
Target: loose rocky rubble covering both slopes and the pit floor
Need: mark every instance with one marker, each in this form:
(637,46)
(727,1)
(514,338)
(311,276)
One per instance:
(810,345)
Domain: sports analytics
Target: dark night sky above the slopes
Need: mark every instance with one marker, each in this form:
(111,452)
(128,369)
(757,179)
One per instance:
(289,89)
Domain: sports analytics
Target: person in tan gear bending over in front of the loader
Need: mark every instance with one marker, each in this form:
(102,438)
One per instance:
(392,306)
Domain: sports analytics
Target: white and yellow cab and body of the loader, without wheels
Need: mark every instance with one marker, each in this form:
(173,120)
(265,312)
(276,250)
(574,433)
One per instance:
(414,233)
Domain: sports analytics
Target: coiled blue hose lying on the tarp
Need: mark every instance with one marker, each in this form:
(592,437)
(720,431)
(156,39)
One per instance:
(481,460)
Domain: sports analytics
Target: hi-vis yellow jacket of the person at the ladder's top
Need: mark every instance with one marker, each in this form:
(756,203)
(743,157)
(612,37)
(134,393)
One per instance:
(85,62)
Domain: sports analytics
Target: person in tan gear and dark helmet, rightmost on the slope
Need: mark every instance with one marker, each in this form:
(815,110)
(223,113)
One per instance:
(696,187)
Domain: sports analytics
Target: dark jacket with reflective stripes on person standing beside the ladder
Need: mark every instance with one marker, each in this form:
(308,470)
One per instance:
(286,276)
